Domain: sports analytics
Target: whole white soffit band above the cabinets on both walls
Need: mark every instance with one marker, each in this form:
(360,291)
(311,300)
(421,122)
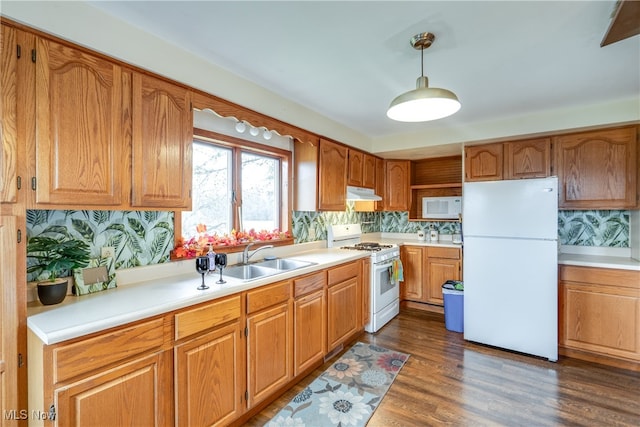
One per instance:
(90,27)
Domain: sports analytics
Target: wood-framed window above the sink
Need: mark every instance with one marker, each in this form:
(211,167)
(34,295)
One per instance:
(236,185)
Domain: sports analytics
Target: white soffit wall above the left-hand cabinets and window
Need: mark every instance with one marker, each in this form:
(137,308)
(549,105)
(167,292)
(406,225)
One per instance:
(92,28)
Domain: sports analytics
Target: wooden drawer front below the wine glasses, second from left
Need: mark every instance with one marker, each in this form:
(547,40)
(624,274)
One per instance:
(210,315)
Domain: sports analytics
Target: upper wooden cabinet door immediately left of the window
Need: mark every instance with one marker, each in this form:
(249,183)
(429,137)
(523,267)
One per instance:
(162,144)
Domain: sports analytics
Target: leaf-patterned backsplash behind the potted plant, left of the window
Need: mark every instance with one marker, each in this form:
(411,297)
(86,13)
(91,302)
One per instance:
(138,237)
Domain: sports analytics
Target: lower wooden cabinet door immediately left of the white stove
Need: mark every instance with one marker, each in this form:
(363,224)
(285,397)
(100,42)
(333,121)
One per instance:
(342,315)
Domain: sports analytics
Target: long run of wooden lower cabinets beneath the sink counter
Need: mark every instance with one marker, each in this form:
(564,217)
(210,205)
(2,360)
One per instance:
(211,364)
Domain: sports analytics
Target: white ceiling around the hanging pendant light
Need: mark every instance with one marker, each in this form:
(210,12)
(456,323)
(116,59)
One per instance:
(348,59)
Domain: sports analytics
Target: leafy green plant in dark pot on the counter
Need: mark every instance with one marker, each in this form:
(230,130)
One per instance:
(50,257)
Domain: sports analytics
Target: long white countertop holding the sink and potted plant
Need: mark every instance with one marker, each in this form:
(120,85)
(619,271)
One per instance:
(79,316)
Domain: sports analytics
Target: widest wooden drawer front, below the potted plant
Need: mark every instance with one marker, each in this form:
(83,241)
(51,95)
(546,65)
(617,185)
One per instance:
(87,355)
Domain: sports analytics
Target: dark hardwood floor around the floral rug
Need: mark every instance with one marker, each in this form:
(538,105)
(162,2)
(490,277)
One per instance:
(448,380)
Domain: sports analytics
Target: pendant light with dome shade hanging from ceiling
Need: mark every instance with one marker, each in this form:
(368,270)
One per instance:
(423,103)
